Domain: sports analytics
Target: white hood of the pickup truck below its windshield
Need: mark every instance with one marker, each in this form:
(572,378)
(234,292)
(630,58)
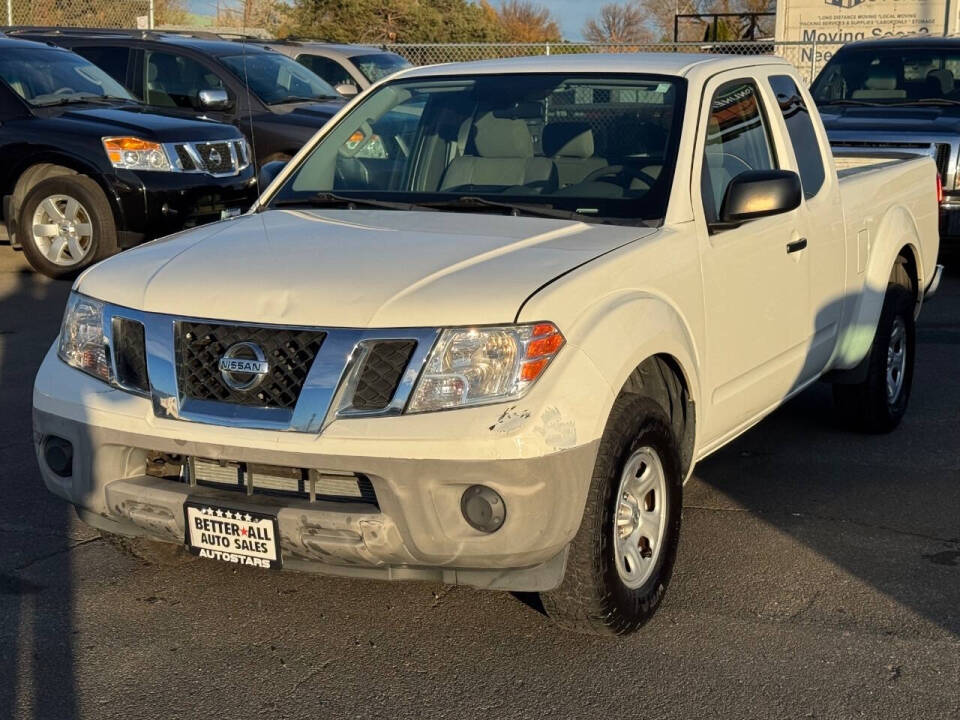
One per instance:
(353,268)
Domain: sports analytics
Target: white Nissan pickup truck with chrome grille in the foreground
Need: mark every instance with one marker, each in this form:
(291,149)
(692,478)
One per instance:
(482,327)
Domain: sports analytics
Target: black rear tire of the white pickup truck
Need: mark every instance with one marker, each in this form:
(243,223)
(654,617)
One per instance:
(867,406)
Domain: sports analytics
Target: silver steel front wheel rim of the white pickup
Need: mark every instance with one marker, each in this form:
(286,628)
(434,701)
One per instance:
(641,517)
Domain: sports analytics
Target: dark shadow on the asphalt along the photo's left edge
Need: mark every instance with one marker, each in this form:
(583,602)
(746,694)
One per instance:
(36,583)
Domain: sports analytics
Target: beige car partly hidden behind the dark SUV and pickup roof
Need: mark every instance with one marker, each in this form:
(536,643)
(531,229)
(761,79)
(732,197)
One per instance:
(348,68)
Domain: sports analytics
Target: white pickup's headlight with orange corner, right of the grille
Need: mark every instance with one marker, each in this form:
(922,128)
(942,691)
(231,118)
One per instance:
(479,366)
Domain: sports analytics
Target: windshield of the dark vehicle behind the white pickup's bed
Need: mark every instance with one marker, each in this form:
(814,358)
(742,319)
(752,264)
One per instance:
(890,76)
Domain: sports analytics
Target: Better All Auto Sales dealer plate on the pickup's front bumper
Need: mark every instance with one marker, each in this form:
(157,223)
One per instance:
(231,535)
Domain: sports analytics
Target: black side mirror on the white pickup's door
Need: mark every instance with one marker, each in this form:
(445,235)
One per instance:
(758,193)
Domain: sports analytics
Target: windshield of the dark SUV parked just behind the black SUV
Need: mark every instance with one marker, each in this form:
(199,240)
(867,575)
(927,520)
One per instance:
(276,79)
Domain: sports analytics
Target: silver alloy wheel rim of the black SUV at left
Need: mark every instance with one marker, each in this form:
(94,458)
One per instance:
(62,230)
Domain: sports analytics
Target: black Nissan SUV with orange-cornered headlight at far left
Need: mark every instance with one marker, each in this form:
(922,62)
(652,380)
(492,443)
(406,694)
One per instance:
(86,170)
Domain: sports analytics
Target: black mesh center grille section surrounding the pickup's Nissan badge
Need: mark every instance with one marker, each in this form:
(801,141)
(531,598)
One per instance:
(290,353)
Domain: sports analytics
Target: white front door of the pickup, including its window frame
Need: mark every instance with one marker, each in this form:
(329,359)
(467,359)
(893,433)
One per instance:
(755,275)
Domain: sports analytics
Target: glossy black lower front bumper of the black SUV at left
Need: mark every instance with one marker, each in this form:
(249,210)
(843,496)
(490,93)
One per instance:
(154,204)
